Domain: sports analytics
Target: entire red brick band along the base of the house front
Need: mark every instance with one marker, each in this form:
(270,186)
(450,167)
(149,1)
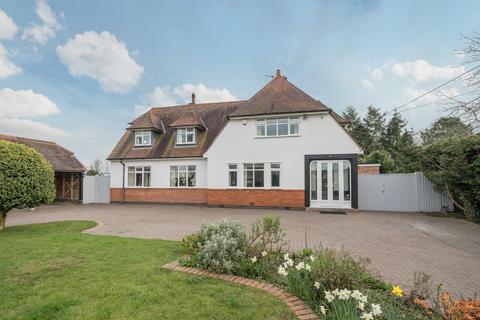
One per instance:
(226,197)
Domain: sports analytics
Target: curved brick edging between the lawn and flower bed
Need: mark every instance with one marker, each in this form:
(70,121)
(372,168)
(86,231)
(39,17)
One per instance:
(298,307)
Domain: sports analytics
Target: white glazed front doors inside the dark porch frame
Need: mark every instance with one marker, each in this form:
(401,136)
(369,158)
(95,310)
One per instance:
(330,184)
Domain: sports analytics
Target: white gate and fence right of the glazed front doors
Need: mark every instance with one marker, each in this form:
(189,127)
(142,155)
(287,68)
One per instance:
(410,192)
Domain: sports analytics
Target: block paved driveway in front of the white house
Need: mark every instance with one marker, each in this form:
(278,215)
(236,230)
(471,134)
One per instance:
(398,244)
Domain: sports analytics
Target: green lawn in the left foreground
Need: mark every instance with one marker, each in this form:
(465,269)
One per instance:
(52,271)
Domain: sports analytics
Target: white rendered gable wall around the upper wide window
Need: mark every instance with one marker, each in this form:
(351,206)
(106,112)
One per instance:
(318,134)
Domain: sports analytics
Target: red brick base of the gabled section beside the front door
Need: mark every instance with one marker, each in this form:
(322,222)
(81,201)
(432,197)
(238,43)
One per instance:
(256,197)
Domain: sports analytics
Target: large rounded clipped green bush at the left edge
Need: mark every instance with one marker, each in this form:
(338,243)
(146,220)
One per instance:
(26,179)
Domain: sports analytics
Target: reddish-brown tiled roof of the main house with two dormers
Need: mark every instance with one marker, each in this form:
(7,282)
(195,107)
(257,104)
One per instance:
(279,96)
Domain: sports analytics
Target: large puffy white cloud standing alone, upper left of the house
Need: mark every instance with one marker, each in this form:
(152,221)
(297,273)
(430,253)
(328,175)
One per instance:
(102,57)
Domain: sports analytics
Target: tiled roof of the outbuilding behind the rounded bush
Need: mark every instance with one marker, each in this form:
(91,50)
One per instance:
(60,158)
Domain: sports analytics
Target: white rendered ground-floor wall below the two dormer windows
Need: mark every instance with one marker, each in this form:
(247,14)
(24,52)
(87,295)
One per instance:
(160,171)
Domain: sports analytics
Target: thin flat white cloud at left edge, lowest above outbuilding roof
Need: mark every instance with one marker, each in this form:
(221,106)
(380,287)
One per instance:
(29,128)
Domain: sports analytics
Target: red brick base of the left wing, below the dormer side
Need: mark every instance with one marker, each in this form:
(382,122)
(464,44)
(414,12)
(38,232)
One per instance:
(160,195)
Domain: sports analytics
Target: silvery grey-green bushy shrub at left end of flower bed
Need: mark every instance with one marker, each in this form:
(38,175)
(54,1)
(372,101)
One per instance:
(223,246)
